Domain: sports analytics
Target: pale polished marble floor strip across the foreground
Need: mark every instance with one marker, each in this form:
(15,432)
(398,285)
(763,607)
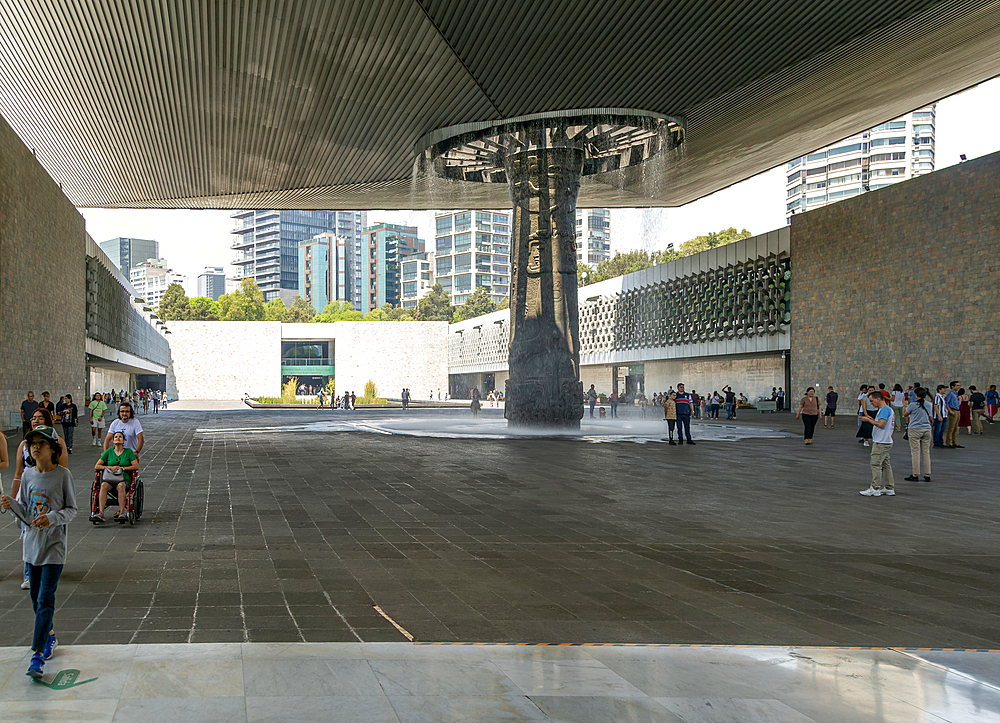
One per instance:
(254,682)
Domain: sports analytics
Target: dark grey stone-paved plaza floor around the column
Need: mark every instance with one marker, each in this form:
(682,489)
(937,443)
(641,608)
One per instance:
(279,526)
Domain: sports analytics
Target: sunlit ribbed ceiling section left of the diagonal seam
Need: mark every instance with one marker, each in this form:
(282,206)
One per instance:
(165,100)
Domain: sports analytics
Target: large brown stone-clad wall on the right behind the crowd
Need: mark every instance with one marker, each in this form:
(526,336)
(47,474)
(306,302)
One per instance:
(900,284)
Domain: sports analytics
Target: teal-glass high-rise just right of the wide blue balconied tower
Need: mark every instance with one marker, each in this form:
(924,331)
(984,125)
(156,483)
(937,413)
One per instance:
(385,246)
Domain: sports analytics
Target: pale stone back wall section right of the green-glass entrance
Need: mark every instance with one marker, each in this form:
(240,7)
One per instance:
(412,354)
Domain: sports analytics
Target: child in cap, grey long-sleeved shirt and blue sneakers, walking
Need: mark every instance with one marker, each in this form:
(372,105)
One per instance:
(47,499)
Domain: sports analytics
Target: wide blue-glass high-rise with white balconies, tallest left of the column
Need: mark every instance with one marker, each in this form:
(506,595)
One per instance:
(267,244)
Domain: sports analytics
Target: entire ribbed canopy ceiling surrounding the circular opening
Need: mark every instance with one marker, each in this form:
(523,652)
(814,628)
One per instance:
(309,104)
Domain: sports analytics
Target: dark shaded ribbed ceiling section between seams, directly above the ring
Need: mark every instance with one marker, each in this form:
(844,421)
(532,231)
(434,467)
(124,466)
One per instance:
(663,57)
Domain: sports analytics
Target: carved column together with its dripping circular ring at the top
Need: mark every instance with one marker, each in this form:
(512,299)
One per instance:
(541,158)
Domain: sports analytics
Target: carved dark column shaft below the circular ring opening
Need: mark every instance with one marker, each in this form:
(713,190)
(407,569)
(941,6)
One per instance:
(544,386)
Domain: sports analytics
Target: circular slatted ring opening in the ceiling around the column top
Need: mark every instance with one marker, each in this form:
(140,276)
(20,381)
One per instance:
(477,152)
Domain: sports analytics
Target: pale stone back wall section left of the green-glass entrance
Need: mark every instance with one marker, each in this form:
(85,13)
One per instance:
(224,359)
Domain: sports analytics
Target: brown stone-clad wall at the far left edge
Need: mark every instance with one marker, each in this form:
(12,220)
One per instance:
(42,283)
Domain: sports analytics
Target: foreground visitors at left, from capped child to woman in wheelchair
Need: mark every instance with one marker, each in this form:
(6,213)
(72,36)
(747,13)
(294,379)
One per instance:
(42,494)
